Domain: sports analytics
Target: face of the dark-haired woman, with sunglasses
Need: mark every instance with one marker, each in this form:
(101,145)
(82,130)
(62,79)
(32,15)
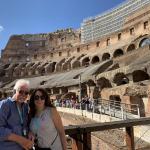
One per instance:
(39,100)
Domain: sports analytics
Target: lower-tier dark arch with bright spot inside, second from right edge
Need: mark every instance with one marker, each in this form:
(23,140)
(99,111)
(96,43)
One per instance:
(120,79)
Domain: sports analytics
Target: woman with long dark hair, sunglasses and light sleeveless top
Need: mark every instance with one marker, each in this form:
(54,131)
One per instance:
(46,124)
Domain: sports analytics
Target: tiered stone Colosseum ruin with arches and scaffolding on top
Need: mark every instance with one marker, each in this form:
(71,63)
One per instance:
(106,58)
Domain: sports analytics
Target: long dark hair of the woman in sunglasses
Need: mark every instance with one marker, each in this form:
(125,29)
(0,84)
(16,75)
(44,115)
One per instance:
(31,101)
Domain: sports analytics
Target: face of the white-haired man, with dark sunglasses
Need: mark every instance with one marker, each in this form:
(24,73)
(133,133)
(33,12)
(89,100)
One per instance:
(22,94)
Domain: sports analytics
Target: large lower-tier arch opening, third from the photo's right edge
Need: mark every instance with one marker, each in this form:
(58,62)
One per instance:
(103,83)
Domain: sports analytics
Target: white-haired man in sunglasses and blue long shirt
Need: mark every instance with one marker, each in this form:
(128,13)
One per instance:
(14,118)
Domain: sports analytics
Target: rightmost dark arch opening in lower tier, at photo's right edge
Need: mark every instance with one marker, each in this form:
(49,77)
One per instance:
(139,75)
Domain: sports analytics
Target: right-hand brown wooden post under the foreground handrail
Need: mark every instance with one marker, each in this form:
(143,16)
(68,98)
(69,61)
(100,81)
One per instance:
(130,138)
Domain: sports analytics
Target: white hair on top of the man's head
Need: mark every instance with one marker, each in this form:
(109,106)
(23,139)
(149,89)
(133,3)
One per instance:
(20,83)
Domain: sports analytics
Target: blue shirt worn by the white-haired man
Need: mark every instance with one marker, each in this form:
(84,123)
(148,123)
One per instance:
(10,122)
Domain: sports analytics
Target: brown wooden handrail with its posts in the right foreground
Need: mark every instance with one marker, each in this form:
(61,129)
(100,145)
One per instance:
(82,133)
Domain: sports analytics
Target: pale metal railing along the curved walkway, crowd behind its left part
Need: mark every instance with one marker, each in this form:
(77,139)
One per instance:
(111,108)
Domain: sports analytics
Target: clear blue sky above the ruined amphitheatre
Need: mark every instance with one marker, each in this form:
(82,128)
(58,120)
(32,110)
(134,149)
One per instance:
(43,16)
